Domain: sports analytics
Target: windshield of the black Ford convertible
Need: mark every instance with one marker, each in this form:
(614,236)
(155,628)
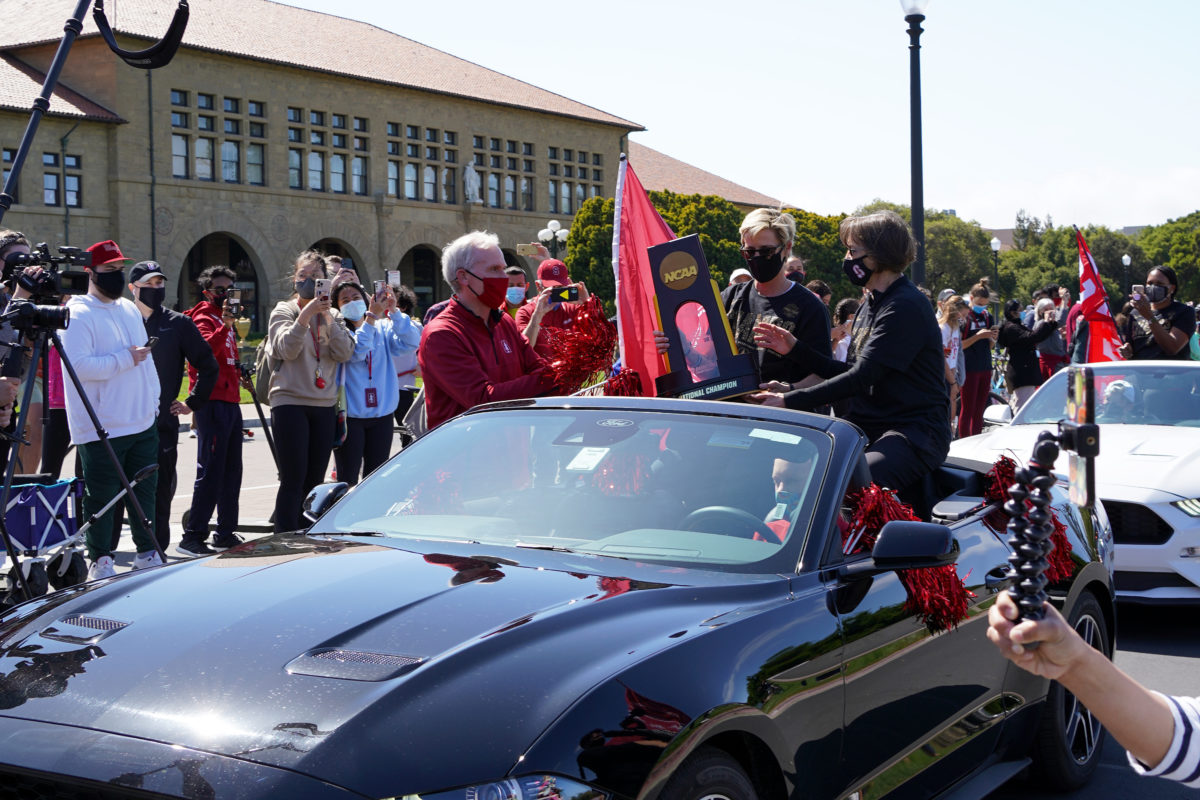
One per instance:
(650,486)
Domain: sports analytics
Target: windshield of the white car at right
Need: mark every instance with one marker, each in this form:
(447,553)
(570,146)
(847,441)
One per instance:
(1126,393)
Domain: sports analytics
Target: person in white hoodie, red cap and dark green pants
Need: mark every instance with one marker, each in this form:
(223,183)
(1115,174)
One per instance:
(106,344)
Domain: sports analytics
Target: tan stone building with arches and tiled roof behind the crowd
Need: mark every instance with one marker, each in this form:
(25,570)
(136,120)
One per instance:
(261,141)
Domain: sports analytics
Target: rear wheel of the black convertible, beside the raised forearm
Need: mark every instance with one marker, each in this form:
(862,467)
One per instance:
(1069,742)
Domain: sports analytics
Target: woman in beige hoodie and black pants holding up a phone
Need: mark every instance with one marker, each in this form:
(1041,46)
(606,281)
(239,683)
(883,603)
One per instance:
(308,339)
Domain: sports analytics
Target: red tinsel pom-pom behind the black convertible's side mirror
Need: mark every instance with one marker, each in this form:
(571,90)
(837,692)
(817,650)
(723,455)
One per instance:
(937,596)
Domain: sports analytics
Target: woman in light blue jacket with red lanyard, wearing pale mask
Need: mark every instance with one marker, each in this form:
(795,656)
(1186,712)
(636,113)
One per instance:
(373,390)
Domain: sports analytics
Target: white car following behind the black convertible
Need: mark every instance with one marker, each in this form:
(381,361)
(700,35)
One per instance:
(1148,474)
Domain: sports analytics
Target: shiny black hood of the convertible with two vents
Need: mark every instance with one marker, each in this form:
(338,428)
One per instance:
(382,670)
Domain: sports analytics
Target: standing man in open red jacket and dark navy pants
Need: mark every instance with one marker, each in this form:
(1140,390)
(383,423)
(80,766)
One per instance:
(218,425)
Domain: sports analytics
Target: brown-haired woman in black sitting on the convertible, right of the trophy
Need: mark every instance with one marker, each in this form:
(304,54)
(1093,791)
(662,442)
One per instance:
(895,376)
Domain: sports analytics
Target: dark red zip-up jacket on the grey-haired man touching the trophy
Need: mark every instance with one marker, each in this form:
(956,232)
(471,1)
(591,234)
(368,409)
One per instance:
(466,363)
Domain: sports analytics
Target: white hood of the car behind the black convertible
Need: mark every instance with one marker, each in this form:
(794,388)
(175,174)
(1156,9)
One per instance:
(1143,456)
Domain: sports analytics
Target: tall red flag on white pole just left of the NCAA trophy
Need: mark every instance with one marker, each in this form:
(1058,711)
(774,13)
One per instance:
(637,226)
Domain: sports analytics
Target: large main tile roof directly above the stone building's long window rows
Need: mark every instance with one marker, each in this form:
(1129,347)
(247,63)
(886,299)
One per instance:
(275,33)
